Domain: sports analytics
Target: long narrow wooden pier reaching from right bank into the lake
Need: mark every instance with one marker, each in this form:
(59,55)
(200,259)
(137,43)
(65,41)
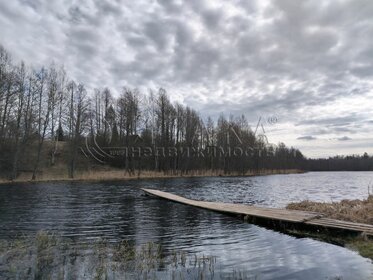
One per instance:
(274,217)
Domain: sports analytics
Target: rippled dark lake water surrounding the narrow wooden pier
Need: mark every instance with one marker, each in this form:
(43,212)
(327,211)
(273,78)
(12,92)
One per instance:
(119,210)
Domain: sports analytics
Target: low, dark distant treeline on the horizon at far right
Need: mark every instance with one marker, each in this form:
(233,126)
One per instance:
(341,163)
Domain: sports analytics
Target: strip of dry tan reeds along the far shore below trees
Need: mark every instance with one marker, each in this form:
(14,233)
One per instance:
(122,175)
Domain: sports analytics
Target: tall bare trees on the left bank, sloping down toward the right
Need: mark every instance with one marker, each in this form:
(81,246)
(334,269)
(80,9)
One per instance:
(40,108)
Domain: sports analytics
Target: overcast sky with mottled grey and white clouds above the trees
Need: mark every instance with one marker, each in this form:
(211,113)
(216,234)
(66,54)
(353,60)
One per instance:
(307,64)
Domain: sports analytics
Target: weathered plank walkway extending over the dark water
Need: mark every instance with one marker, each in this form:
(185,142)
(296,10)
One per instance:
(312,219)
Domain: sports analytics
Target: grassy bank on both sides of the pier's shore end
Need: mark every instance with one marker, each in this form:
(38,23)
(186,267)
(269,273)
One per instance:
(358,211)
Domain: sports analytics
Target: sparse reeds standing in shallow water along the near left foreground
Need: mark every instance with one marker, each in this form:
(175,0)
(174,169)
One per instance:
(50,256)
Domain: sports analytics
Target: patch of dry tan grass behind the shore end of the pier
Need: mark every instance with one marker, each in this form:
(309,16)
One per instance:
(358,211)
